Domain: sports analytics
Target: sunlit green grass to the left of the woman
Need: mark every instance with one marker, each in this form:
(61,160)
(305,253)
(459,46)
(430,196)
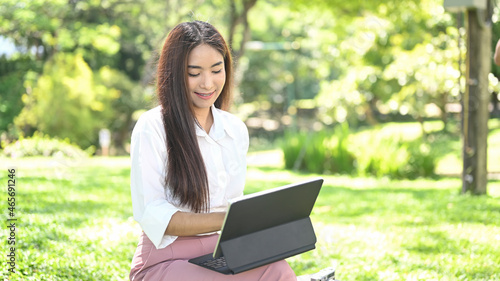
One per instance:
(74,219)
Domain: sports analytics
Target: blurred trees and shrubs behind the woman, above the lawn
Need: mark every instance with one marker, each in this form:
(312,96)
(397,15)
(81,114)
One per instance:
(75,76)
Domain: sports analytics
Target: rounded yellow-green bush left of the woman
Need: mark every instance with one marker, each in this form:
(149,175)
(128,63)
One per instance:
(65,102)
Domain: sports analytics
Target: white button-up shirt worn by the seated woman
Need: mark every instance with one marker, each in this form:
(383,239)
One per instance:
(224,152)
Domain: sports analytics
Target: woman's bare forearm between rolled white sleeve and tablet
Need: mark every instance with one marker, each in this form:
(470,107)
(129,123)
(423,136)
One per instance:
(189,224)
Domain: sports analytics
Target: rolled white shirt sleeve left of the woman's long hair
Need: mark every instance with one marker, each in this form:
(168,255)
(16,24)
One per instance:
(151,208)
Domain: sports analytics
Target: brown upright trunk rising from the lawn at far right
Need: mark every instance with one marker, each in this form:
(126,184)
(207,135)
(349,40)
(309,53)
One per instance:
(475,103)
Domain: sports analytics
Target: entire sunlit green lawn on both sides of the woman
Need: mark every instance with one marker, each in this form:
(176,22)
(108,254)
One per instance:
(75,223)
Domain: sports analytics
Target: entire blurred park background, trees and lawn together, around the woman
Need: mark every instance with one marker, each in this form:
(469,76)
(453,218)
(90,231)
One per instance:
(366,94)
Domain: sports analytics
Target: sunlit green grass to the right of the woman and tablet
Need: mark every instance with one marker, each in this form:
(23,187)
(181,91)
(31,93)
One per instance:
(399,230)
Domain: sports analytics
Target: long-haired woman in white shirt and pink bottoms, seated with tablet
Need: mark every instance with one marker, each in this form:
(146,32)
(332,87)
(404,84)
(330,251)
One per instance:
(188,159)
